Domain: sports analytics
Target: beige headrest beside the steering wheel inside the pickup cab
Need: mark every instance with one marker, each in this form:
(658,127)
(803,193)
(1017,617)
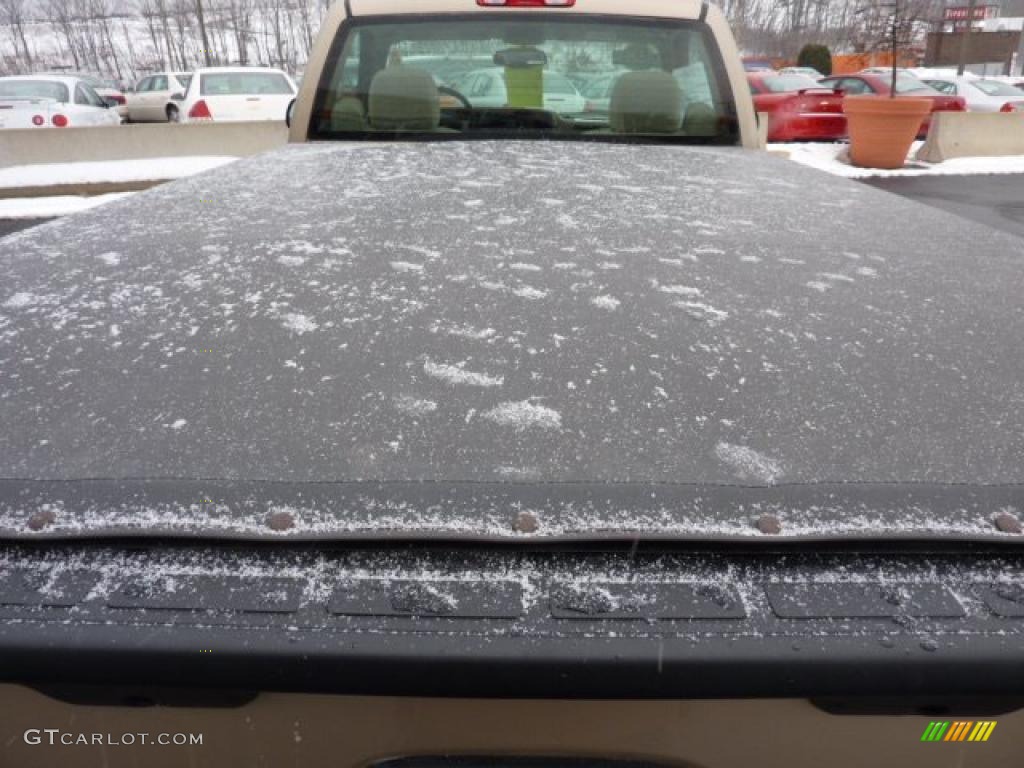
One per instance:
(404,99)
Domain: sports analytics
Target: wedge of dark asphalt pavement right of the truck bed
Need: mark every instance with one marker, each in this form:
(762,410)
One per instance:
(997,201)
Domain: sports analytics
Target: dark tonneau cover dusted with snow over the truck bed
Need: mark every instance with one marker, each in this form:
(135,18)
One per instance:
(438,339)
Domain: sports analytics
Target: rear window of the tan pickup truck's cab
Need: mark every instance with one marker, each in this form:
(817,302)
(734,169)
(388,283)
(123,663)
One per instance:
(471,78)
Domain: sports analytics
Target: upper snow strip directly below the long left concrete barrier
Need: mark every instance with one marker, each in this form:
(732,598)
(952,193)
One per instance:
(152,169)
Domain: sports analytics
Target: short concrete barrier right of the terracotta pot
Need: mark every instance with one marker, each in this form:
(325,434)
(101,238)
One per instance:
(973,135)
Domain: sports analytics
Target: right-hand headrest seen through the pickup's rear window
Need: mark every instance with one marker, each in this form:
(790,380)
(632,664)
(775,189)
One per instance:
(647,103)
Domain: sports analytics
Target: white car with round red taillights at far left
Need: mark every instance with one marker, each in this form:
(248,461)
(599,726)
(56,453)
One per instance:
(53,102)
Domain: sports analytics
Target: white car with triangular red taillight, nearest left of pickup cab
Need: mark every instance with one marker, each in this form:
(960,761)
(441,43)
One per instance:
(238,95)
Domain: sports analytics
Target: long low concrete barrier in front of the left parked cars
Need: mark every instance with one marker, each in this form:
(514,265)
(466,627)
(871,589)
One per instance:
(139,142)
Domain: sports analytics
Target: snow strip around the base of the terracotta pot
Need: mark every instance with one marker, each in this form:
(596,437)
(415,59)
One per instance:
(833,159)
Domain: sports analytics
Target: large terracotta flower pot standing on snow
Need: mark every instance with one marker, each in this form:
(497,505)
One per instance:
(882,130)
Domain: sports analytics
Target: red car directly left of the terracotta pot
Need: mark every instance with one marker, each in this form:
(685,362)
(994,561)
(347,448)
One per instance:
(798,107)
